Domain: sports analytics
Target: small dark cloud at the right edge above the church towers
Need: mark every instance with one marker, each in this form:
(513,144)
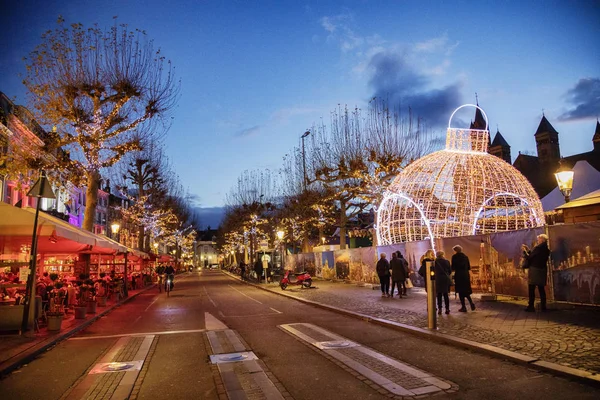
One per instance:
(585,97)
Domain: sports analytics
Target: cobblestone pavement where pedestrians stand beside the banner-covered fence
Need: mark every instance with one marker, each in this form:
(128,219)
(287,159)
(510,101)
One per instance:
(570,337)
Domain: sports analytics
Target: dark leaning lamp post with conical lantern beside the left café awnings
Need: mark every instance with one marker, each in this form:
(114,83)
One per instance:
(40,190)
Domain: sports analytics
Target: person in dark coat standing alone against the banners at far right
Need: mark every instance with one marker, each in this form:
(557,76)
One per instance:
(537,263)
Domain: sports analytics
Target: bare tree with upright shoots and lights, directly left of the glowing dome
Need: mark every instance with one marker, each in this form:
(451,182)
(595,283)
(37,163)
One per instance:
(358,157)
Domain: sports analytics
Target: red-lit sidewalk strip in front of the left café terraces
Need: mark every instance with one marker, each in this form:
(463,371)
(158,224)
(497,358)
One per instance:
(17,350)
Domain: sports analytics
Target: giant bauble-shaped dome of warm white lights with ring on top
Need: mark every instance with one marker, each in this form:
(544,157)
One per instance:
(459,191)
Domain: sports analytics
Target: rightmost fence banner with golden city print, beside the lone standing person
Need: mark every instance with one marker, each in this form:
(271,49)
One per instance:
(576,262)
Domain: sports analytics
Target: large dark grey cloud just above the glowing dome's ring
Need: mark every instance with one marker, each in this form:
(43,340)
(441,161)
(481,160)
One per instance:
(394,79)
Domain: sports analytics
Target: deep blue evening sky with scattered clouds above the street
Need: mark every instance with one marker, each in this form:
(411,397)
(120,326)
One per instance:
(256,74)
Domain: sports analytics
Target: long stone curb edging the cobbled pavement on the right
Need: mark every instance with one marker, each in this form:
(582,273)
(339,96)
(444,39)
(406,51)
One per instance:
(518,358)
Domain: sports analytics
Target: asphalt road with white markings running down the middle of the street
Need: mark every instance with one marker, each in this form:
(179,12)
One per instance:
(177,366)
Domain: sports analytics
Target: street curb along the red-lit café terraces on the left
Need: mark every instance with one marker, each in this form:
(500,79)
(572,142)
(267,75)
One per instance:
(33,352)
